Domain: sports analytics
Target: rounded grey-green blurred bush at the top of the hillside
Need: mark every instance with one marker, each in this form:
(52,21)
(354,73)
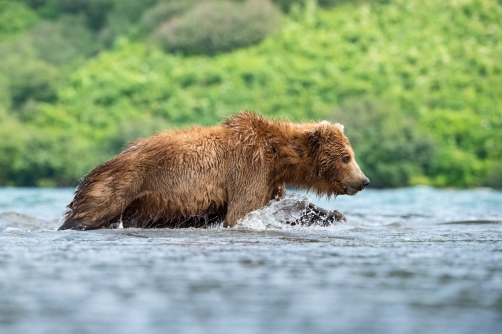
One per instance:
(221,26)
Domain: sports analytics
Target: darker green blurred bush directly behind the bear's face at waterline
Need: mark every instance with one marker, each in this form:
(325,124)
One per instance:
(391,150)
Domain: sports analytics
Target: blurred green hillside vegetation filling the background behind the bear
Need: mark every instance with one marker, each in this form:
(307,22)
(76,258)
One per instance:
(416,83)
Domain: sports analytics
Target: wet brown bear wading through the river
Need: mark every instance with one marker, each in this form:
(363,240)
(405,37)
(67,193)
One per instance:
(203,175)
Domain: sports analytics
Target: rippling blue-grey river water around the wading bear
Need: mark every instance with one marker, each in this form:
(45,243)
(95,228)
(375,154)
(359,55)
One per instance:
(414,260)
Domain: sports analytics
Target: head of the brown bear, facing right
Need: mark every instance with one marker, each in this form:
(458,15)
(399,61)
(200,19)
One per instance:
(334,166)
